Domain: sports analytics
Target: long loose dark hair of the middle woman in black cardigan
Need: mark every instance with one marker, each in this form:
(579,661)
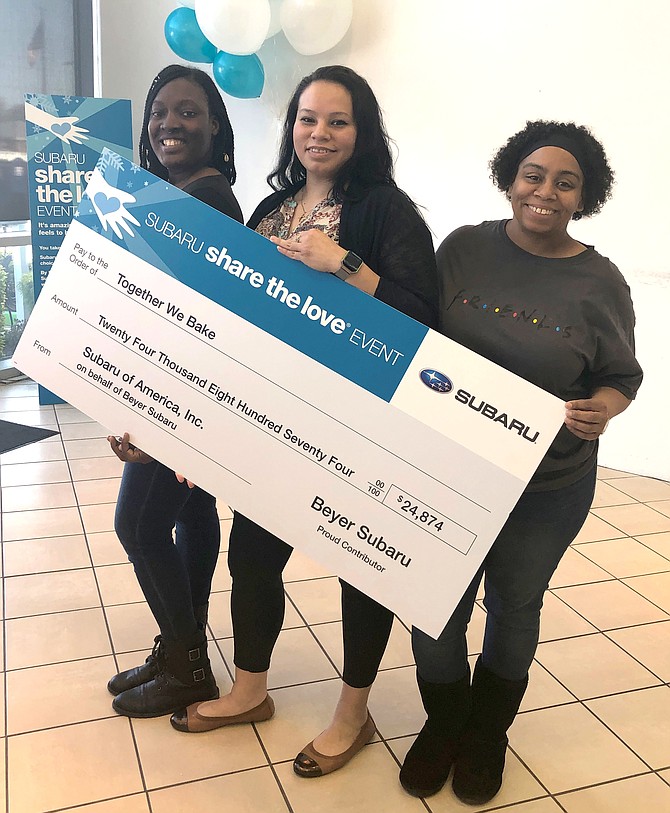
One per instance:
(371,163)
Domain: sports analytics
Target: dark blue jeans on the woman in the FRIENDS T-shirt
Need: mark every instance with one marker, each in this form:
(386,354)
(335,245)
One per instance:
(516,573)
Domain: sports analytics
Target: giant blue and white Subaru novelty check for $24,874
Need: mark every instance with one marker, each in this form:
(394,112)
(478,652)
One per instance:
(378,447)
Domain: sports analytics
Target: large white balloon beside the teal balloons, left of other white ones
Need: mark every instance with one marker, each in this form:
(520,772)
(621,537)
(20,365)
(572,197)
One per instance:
(235,26)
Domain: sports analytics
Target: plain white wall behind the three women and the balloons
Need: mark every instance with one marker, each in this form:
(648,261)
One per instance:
(455,81)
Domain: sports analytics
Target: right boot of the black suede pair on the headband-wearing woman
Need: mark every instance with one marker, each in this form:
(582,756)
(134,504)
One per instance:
(481,761)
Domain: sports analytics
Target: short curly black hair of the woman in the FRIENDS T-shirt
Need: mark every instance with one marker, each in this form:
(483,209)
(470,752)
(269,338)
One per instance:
(598,175)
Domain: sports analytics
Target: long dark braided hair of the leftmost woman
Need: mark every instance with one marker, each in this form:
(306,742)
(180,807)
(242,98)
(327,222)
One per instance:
(223,157)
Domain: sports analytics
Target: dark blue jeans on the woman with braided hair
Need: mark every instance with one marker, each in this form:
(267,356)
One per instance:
(175,577)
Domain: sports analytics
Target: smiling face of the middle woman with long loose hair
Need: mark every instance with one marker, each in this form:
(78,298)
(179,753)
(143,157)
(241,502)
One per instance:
(324,133)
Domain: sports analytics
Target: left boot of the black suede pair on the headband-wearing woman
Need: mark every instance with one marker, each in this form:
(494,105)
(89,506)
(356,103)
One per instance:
(428,762)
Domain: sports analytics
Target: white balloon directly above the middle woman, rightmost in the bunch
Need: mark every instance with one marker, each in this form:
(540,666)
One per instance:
(314,26)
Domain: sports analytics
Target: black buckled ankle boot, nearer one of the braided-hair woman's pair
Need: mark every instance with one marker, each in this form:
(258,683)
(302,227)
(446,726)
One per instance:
(184,677)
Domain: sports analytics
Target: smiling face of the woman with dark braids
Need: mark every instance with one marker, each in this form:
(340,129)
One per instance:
(181,130)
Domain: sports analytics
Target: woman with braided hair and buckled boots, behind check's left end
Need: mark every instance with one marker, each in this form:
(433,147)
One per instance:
(187,140)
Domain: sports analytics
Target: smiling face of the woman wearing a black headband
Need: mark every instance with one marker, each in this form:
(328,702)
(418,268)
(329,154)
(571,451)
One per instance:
(545,194)
